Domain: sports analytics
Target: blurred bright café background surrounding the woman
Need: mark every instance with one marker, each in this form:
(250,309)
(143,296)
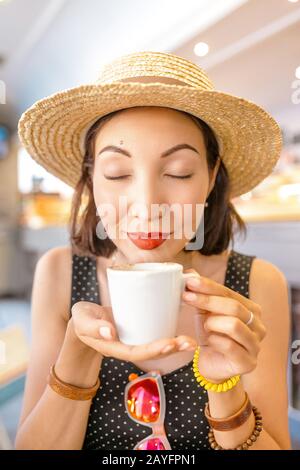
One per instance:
(249,48)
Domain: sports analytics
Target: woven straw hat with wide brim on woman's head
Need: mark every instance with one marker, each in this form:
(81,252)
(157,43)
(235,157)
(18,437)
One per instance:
(53,129)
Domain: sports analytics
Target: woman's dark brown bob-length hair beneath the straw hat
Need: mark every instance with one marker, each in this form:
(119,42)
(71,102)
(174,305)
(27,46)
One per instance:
(220,217)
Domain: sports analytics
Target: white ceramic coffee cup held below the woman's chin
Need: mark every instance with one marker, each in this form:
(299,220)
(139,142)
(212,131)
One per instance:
(145,300)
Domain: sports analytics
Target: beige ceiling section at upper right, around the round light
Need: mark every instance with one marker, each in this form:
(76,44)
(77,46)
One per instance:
(254,52)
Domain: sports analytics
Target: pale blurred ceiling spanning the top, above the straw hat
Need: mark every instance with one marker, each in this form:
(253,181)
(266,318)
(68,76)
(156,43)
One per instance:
(49,46)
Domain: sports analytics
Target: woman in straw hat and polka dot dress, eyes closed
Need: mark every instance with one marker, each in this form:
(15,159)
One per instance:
(165,137)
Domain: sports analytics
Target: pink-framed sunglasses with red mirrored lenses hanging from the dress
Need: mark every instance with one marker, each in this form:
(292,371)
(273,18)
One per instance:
(145,403)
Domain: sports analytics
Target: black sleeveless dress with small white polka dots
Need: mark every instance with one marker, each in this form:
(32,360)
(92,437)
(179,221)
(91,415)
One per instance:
(109,427)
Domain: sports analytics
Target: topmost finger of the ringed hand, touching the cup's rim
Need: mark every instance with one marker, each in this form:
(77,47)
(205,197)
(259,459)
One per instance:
(205,285)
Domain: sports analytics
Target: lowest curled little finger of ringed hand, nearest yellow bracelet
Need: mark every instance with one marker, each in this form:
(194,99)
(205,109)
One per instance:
(233,351)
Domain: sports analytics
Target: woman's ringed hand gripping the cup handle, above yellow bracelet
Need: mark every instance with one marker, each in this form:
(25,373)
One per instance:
(231,346)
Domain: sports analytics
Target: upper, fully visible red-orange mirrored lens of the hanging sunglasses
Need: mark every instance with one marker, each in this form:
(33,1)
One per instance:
(143,401)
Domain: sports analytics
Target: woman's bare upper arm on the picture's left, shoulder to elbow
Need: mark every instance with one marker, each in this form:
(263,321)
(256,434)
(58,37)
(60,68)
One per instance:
(50,307)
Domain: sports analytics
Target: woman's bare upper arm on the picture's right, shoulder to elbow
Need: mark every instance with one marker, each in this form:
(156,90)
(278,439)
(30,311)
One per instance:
(268,288)
